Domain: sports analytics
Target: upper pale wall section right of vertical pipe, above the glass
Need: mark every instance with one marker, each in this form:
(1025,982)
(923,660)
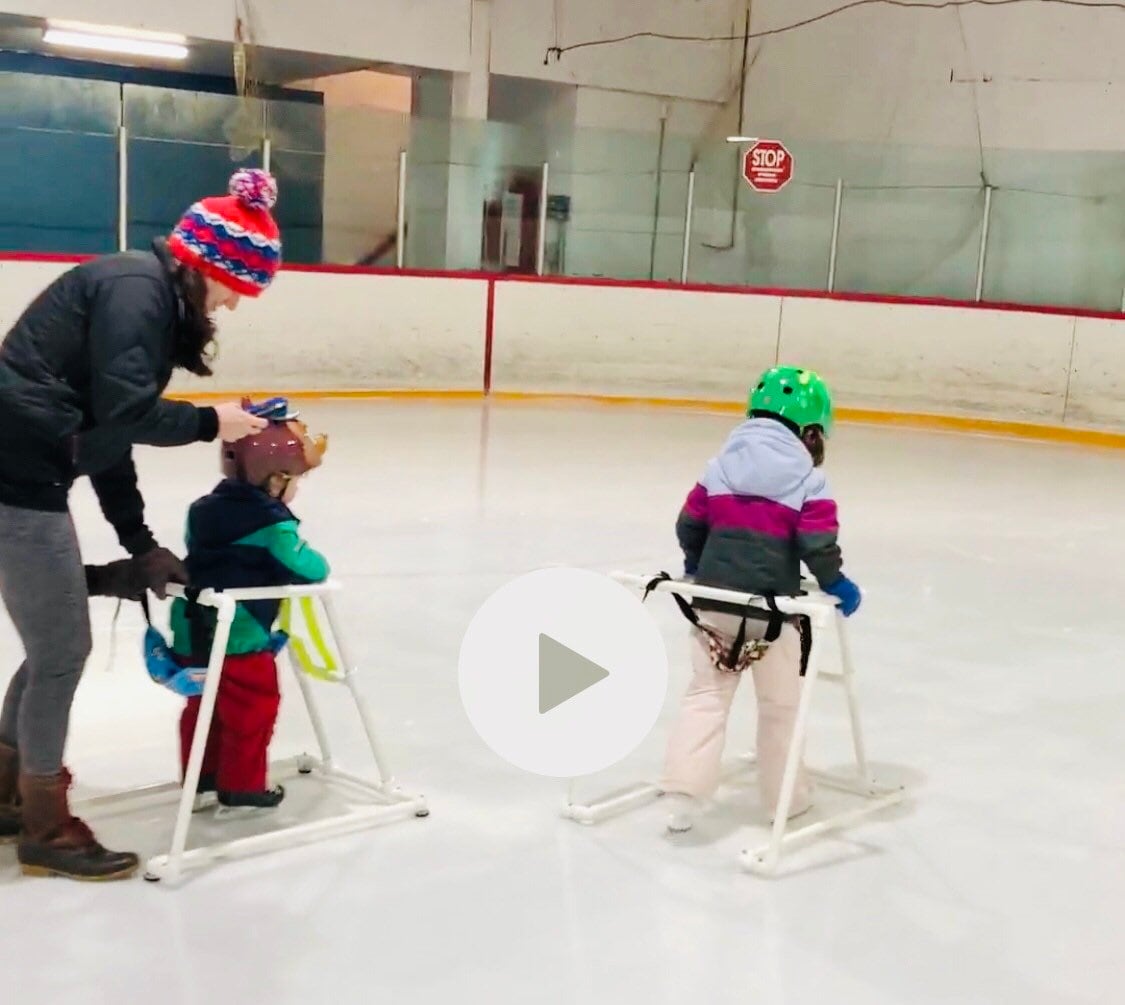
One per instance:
(1042,77)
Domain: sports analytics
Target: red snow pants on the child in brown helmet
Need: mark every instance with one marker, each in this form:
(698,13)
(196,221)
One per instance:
(246,714)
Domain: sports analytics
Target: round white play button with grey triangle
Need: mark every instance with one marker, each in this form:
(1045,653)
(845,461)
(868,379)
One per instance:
(563,672)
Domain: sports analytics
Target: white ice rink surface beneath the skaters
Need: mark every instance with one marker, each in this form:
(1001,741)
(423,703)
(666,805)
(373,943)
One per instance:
(991,656)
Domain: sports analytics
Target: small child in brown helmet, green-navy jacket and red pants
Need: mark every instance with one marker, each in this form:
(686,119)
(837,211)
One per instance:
(244,535)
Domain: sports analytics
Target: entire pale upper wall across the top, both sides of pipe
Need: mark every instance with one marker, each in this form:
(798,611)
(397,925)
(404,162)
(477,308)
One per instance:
(1041,77)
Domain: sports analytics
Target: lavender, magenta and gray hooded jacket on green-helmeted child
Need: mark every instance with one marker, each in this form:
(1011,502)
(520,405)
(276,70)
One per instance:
(760,510)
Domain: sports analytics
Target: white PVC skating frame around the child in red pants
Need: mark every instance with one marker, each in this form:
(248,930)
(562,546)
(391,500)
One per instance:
(381,801)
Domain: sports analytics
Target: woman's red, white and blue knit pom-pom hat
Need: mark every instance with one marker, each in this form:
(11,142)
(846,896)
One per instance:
(233,239)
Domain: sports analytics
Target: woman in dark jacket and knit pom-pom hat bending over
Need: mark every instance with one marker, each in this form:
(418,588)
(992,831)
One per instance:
(82,378)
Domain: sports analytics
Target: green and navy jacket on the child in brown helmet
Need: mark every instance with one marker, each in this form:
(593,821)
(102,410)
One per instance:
(239,536)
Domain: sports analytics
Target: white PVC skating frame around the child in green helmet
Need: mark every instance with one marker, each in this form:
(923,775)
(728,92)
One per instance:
(824,615)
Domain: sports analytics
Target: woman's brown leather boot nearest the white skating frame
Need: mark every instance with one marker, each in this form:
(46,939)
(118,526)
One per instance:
(56,844)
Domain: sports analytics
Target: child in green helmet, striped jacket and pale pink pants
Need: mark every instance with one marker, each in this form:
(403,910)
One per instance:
(761,509)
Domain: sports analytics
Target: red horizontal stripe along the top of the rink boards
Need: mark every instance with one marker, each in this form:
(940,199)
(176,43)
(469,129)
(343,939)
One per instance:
(644,284)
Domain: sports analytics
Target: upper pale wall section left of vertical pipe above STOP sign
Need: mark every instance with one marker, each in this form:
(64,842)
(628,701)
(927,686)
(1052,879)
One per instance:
(436,34)
